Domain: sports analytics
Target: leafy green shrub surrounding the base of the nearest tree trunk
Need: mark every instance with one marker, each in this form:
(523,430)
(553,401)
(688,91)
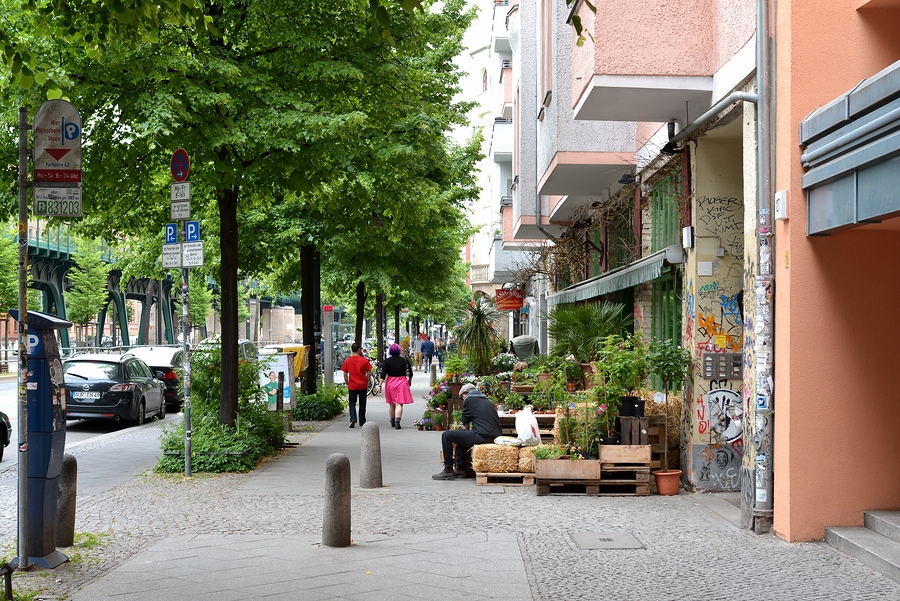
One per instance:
(216,447)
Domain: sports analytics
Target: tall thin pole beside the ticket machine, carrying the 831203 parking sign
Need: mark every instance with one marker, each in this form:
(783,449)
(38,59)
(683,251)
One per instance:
(22,376)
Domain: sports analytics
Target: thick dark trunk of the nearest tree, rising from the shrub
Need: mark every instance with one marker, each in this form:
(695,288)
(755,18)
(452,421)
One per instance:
(228,245)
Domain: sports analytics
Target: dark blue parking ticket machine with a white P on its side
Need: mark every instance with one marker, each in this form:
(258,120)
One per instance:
(46,434)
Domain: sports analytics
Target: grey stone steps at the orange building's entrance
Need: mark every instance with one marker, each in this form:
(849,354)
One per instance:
(877,544)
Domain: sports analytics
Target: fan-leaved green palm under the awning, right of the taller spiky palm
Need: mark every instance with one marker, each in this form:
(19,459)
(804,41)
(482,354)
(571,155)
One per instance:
(581,330)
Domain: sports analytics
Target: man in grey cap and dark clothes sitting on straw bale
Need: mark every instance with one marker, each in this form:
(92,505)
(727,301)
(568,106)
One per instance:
(479,413)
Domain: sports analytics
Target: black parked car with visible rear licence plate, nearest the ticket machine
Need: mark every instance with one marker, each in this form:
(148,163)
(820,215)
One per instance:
(117,387)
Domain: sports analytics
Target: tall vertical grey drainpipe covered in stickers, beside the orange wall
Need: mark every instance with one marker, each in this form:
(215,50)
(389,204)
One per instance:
(763,437)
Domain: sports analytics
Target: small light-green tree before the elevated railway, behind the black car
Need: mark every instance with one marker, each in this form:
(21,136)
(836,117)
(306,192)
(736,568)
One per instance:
(88,293)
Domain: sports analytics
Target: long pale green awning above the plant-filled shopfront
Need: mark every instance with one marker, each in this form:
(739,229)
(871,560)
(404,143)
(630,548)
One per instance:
(646,269)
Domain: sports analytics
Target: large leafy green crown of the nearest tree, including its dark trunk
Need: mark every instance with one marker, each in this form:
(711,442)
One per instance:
(276,102)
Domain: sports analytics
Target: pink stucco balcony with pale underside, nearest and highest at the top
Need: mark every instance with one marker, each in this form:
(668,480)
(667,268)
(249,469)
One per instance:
(655,61)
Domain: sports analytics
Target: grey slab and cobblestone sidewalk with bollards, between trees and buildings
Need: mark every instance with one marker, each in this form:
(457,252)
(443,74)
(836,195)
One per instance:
(256,535)
